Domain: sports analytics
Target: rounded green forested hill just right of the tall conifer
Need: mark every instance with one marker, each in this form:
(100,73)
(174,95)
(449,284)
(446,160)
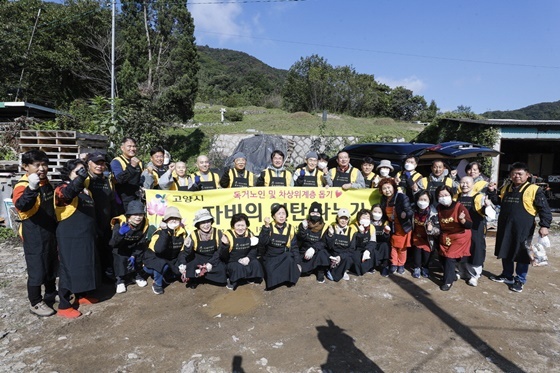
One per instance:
(235,78)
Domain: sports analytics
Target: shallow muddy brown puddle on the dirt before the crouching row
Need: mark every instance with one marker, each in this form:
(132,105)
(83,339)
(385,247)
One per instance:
(240,301)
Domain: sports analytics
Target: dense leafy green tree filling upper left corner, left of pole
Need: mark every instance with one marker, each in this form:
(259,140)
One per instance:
(63,61)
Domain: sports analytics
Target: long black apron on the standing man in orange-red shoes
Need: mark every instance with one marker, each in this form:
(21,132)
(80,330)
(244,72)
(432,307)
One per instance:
(76,248)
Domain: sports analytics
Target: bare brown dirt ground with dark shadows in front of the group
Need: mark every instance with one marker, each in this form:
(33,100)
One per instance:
(367,324)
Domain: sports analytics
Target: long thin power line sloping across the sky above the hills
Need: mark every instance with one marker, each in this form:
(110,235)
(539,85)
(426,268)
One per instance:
(386,52)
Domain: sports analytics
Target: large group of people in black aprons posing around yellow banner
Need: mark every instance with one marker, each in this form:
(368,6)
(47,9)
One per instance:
(94,225)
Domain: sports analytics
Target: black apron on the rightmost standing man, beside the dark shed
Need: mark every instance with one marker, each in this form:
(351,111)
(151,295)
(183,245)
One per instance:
(515,227)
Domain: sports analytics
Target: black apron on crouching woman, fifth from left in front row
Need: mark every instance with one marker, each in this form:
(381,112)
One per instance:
(279,263)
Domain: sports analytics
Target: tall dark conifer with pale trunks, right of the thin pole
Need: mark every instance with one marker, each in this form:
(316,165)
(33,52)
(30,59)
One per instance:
(160,61)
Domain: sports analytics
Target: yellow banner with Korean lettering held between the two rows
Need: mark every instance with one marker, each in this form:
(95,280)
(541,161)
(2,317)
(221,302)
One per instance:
(256,203)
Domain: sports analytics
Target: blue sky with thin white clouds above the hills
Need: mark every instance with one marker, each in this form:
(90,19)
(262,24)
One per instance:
(486,54)
